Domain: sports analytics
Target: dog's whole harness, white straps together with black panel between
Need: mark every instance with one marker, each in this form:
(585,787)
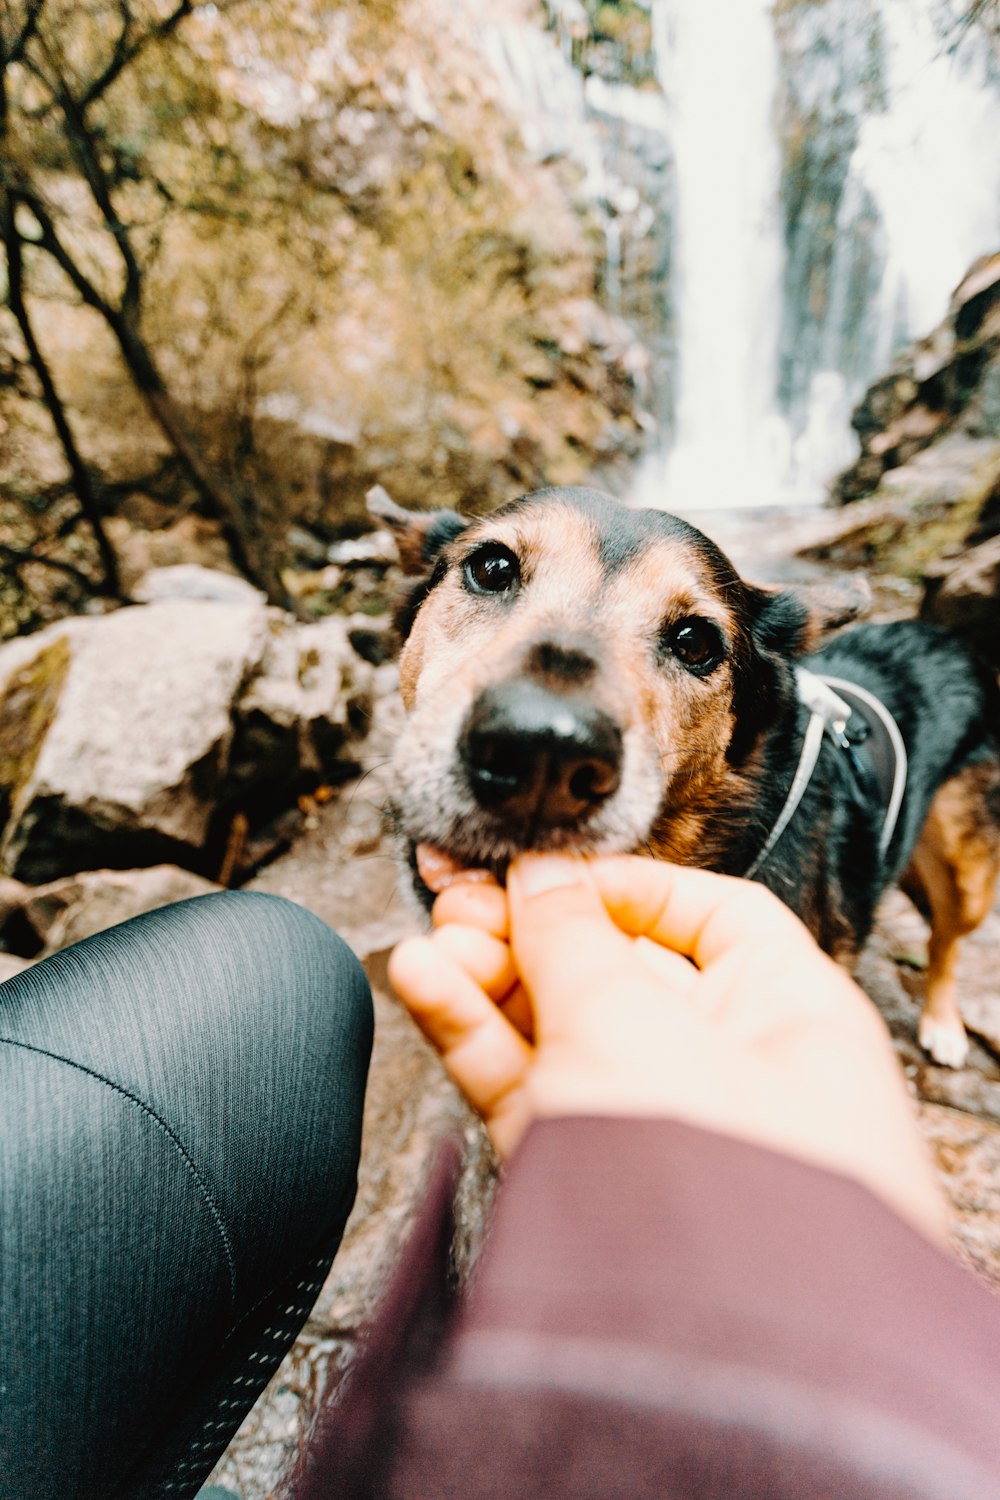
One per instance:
(869,739)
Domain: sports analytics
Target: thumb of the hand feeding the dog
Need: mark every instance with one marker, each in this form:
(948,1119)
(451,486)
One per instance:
(563,938)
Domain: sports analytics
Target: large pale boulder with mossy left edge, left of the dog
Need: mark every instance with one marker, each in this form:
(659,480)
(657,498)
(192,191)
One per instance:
(134,752)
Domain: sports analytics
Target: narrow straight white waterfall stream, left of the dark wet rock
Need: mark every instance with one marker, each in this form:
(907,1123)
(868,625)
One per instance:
(719,77)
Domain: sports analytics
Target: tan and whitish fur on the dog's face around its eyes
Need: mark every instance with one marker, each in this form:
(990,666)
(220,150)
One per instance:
(677,727)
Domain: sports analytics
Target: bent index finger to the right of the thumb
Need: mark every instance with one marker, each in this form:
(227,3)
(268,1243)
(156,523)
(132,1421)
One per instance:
(695,913)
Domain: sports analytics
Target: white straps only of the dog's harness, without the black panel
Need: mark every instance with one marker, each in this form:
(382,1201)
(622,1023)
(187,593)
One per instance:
(830,715)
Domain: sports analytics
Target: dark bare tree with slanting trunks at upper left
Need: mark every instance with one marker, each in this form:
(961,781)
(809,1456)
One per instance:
(61,64)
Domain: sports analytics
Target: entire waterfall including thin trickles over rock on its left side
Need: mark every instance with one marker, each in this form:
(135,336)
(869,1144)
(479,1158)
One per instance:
(779,298)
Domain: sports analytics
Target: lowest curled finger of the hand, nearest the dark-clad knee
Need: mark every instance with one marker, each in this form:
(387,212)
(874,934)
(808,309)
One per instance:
(481,1049)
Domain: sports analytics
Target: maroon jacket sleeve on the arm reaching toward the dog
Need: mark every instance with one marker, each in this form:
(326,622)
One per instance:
(668,1313)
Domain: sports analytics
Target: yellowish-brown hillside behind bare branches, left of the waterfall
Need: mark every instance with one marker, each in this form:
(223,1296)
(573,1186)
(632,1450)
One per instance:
(355,271)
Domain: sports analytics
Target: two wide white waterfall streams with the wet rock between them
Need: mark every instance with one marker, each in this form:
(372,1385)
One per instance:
(870,262)
